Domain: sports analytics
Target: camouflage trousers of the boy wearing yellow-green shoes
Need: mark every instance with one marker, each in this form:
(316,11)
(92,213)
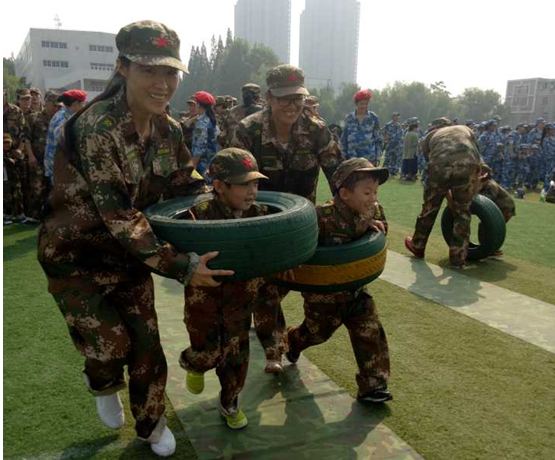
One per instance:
(218,321)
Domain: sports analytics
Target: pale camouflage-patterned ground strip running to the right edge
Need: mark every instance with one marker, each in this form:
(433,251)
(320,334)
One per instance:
(521,316)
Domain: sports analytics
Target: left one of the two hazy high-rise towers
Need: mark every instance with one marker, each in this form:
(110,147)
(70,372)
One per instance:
(267,22)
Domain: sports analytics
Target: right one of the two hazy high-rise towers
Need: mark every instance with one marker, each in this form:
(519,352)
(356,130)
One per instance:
(329,42)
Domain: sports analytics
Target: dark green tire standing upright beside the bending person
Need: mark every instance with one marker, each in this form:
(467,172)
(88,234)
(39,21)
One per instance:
(492,227)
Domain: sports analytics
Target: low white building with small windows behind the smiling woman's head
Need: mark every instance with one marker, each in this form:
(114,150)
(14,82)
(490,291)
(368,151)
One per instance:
(67,59)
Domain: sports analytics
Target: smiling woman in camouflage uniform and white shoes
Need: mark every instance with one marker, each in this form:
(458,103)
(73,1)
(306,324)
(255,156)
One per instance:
(119,154)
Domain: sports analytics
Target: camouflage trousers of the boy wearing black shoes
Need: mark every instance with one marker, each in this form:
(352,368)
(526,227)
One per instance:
(324,315)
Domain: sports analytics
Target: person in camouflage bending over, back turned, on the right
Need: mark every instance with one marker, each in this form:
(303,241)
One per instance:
(454,166)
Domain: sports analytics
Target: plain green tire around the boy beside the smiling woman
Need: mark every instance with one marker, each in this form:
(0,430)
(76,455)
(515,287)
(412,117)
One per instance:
(253,247)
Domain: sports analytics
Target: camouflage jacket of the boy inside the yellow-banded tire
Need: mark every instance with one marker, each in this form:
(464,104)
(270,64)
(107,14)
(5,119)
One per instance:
(337,225)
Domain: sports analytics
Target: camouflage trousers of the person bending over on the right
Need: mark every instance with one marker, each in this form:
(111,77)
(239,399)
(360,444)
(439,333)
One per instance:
(462,180)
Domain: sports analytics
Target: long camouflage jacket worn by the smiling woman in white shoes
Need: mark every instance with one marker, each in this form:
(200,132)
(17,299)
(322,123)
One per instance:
(93,229)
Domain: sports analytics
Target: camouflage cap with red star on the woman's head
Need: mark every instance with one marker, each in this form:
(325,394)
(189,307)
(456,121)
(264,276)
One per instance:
(150,43)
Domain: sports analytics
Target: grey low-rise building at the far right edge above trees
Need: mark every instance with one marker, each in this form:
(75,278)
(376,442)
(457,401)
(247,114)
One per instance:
(529,99)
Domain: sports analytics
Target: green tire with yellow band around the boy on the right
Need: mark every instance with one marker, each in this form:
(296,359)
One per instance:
(341,268)
